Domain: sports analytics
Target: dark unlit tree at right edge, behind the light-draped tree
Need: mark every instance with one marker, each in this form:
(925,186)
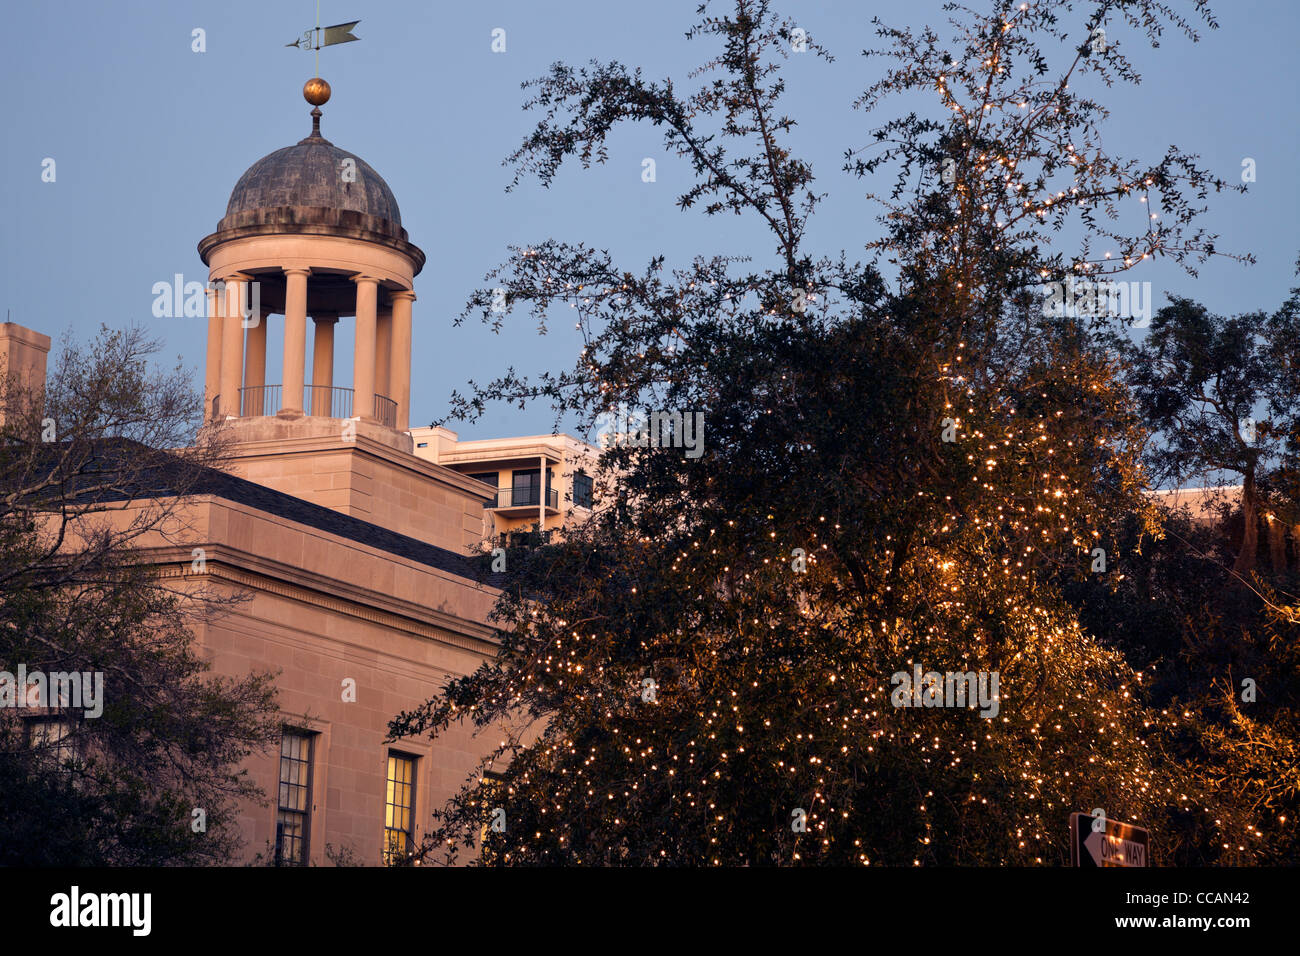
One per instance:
(1189,603)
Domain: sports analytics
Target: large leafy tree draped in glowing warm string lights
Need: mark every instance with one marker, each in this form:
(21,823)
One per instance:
(905,460)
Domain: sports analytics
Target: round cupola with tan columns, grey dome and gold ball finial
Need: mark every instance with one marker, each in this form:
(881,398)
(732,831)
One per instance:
(311,231)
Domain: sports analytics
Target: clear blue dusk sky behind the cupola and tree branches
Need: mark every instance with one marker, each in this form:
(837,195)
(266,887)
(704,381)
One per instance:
(150,137)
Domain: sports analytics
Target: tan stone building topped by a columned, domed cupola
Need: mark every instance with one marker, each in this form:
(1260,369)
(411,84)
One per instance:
(352,550)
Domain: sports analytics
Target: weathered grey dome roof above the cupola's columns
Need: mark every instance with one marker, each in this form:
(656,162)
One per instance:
(314,174)
